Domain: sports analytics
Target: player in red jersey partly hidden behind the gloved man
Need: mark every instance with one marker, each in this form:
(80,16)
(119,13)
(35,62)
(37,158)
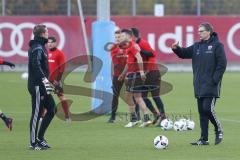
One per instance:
(56,61)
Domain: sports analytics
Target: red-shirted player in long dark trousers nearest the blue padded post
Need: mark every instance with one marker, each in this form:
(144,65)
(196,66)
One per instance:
(119,59)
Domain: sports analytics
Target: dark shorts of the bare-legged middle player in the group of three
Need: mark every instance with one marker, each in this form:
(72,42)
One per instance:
(134,83)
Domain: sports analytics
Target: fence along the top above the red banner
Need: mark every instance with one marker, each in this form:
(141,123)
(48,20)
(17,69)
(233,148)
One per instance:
(119,7)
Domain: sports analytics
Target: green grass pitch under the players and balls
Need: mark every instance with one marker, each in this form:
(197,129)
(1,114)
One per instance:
(96,139)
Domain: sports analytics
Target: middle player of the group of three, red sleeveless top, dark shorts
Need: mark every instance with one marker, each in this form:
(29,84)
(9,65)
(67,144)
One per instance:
(134,79)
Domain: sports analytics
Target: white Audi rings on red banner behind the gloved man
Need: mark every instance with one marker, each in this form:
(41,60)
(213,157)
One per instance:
(16,33)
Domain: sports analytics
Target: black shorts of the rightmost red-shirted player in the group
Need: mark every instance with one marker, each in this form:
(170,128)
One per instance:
(152,83)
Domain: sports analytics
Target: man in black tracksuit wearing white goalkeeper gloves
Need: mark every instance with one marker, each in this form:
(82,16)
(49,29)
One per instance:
(39,87)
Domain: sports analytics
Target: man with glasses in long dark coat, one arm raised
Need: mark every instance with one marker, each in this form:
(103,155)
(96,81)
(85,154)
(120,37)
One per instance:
(209,64)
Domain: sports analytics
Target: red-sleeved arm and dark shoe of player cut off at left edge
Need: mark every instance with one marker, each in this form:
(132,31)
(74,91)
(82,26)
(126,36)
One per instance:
(7,120)
